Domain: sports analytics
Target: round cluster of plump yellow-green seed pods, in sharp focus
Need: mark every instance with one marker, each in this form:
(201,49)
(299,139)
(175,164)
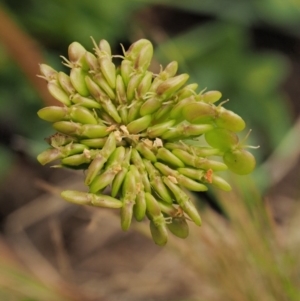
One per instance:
(139,136)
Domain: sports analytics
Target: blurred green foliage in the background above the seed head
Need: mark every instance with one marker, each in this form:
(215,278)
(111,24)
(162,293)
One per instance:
(218,51)
